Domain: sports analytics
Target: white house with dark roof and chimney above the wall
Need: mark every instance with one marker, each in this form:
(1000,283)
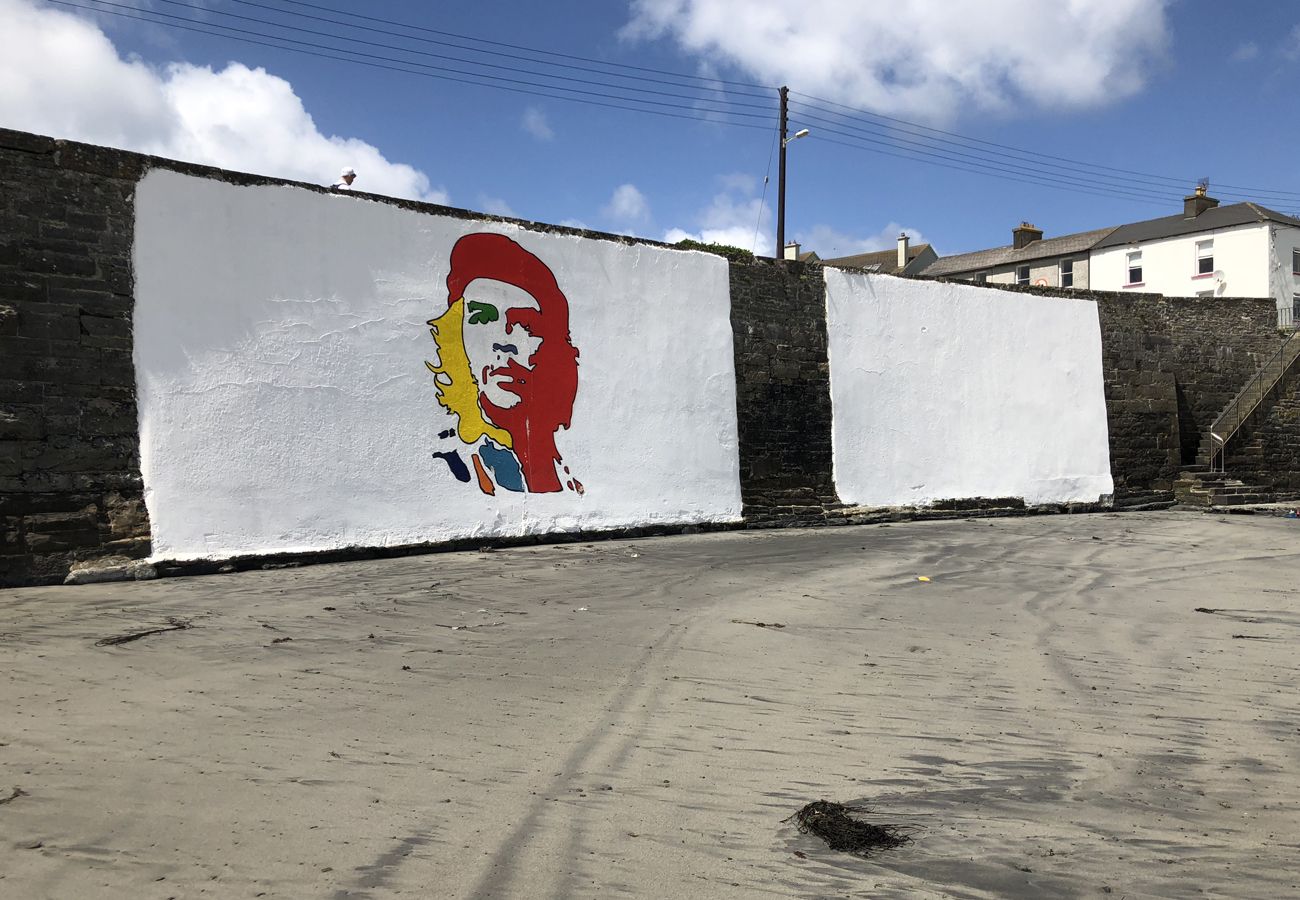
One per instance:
(1240,250)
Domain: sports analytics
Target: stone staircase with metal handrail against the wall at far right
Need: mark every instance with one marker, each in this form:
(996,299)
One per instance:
(1201,484)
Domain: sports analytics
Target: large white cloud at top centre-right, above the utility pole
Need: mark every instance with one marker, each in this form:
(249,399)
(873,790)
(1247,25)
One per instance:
(925,59)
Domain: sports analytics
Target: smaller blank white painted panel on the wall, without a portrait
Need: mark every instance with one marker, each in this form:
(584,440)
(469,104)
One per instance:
(946,391)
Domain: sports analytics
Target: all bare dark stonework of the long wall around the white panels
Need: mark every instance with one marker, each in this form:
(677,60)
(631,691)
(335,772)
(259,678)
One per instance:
(70,451)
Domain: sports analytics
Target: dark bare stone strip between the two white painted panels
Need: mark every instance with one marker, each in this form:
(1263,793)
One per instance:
(783,392)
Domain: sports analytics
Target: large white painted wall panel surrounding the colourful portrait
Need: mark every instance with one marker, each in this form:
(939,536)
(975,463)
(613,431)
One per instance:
(285,404)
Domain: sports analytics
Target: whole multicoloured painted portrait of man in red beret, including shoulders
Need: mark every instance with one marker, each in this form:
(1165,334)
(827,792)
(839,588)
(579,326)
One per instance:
(506,369)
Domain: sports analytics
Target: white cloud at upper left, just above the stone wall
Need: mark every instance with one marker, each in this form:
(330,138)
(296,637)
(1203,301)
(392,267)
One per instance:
(63,77)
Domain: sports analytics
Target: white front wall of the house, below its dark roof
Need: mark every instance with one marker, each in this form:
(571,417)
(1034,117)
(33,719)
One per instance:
(1169,267)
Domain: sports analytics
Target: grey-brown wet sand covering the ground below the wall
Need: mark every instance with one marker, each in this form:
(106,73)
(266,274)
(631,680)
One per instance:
(605,720)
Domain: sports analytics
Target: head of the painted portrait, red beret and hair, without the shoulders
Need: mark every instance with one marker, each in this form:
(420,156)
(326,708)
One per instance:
(513,322)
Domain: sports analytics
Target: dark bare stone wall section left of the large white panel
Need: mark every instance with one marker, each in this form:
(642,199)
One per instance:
(70,458)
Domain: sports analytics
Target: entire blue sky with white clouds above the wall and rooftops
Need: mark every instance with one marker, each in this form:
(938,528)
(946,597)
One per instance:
(1173,90)
